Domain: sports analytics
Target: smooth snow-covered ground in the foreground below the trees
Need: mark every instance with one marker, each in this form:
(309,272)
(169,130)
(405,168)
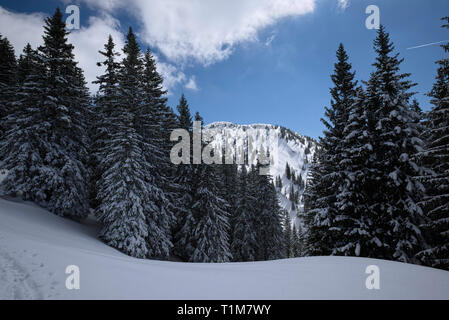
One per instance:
(36,247)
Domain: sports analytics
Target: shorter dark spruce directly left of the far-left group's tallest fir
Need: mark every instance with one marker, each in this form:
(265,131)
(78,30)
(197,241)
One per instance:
(22,142)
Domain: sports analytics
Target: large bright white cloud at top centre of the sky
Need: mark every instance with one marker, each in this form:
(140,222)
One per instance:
(204,31)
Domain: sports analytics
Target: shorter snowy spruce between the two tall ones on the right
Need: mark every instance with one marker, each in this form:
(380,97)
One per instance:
(355,220)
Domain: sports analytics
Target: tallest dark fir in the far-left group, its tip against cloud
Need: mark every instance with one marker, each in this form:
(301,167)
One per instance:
(63,178)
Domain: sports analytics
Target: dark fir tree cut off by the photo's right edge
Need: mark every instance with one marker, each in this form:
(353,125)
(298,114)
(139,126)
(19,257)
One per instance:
(436,157)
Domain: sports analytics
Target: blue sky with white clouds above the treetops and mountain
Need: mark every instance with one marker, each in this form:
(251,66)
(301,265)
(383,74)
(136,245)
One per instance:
(273,68)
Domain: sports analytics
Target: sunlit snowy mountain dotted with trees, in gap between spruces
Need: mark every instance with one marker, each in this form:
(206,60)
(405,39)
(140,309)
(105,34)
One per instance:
(287,147)
